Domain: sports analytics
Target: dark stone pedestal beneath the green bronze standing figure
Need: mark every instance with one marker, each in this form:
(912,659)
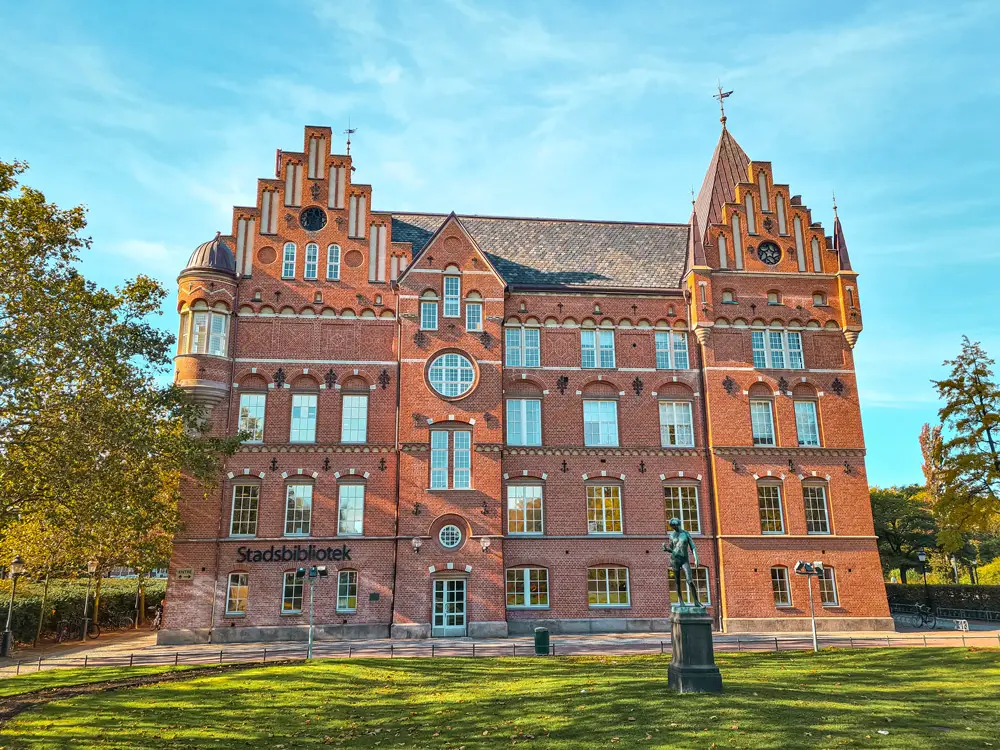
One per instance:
(692,669)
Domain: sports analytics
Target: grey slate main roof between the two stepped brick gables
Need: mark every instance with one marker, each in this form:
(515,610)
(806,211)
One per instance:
(566,253)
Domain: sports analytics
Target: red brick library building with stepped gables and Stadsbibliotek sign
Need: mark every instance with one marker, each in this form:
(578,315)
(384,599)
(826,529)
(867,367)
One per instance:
(480,424)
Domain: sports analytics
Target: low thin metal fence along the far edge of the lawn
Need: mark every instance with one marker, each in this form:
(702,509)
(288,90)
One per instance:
(244,654)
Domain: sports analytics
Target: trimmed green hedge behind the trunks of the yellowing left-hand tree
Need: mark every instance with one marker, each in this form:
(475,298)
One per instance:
(65,602)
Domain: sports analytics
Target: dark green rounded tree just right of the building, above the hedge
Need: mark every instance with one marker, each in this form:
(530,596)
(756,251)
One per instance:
(904,524)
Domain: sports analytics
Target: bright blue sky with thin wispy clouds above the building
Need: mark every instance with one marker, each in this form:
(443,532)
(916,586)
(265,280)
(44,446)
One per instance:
(160,117)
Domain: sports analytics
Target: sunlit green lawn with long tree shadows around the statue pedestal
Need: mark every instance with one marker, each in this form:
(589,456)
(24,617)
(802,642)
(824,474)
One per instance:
(929,698)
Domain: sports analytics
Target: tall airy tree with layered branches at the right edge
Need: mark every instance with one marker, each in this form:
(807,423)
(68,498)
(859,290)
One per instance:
(964,471)
